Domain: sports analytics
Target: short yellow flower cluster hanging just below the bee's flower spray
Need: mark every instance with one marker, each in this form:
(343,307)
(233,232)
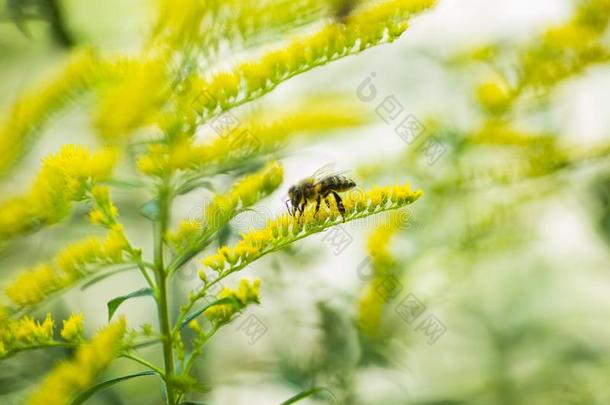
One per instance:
(247,293)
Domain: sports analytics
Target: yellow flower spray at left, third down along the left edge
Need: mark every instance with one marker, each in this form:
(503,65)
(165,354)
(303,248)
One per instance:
(70,265)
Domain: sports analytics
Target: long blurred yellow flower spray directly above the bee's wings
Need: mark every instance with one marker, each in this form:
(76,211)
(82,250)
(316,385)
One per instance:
(256,137)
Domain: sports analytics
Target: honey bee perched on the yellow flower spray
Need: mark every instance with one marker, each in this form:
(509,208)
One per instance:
(317,188)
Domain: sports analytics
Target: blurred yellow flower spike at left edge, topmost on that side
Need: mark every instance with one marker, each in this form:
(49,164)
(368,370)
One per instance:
(30,112)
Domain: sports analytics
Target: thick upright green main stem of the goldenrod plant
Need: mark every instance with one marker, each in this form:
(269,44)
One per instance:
(162,299)
